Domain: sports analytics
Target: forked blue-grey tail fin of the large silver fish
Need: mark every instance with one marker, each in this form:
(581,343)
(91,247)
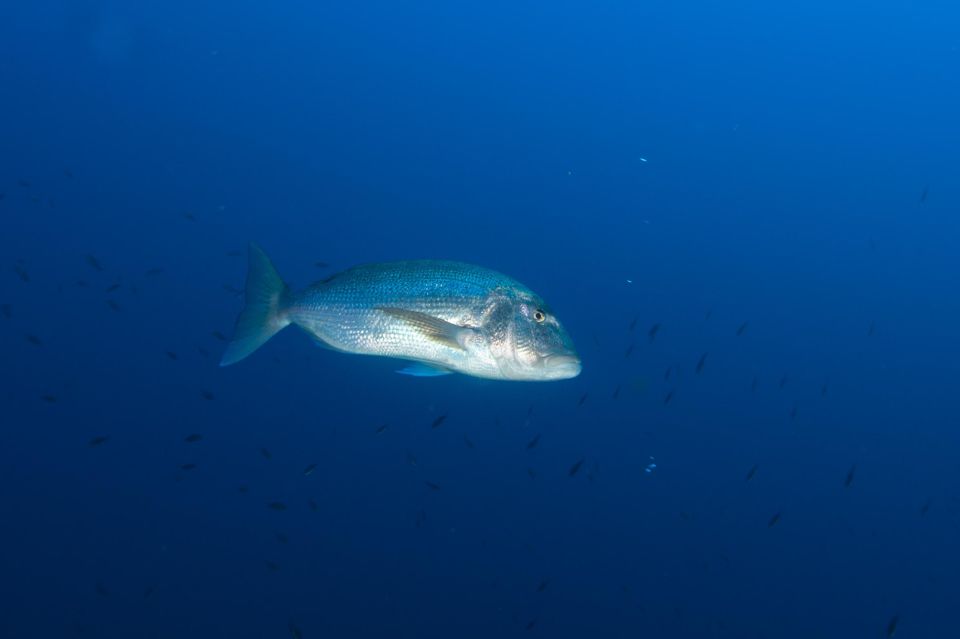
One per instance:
(264,313)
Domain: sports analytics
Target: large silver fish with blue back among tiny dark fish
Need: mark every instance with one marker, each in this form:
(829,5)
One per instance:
(442,316)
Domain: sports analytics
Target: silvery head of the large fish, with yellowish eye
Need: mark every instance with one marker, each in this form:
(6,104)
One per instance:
(526,339)
